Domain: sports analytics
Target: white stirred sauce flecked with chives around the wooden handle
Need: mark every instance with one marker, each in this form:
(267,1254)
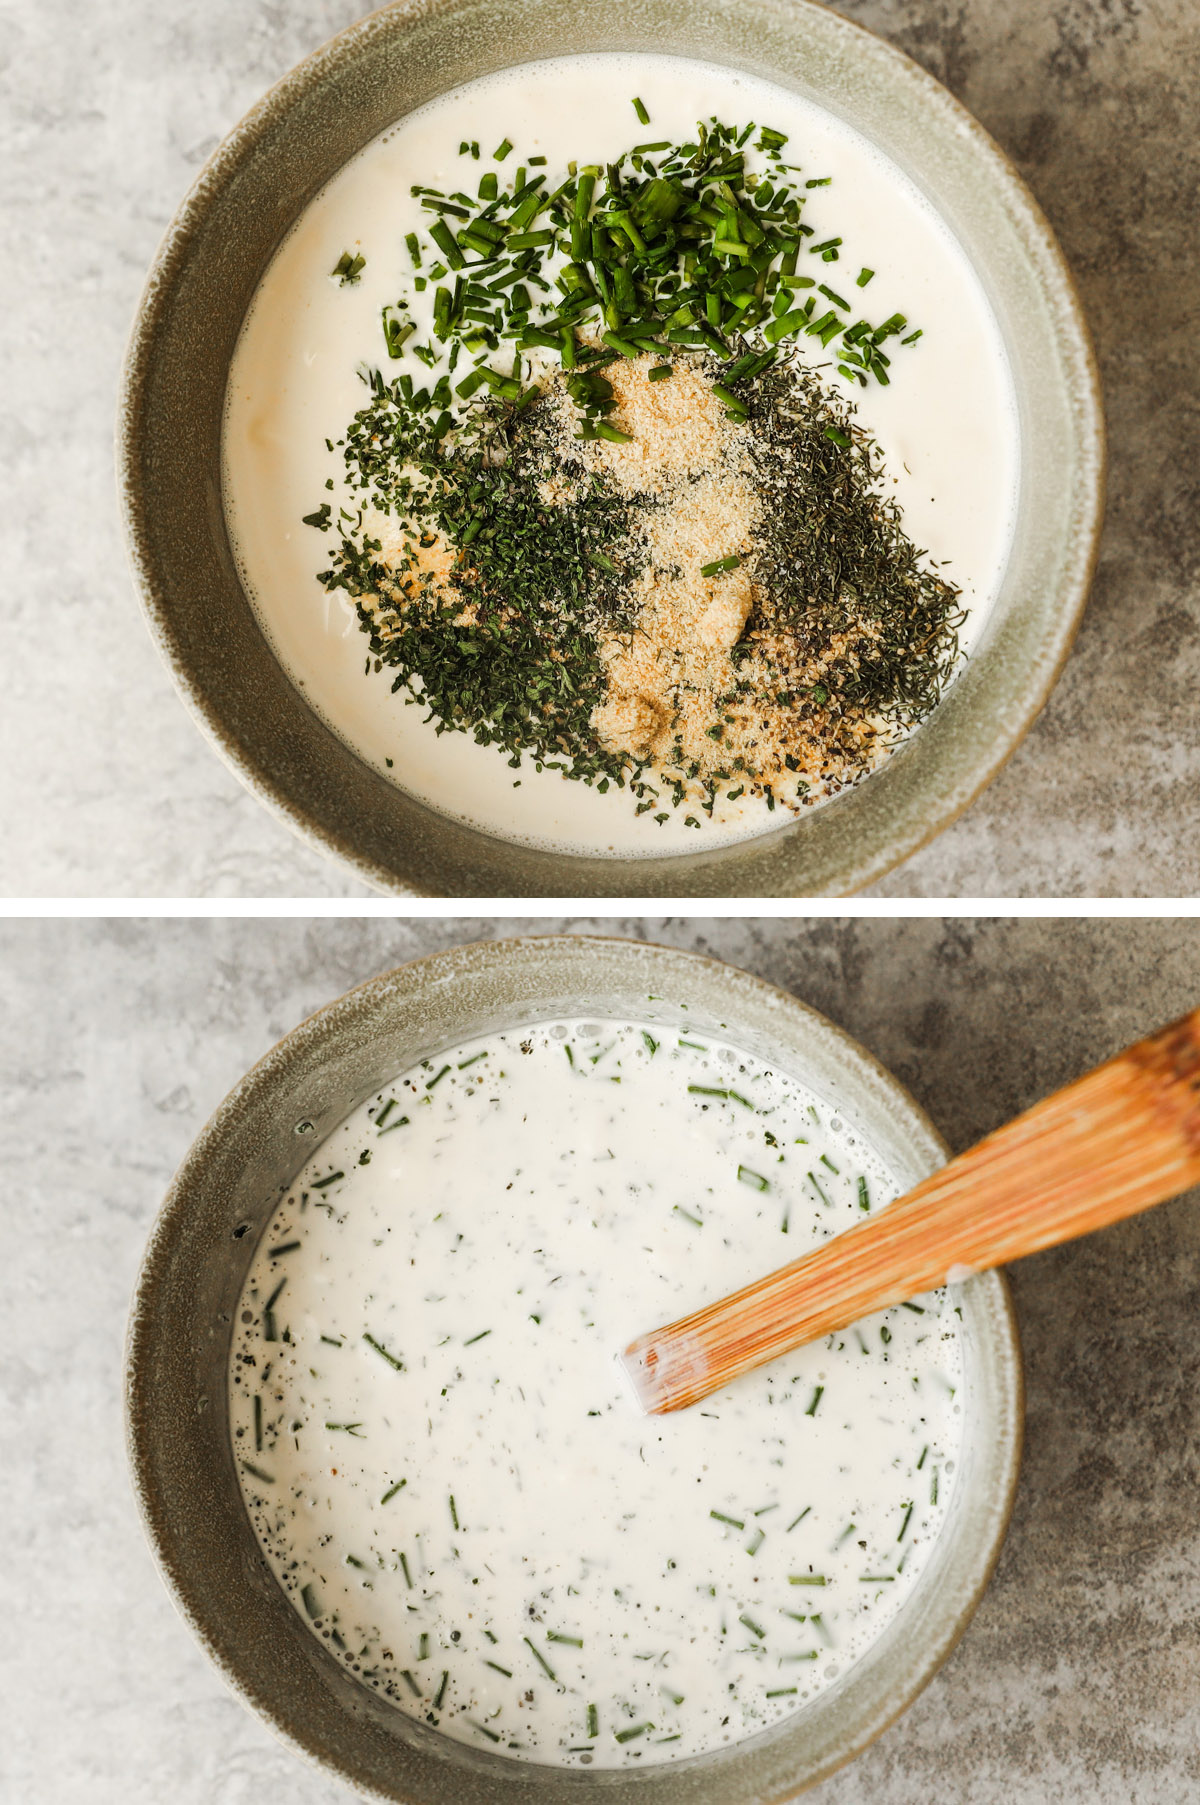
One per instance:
(445,1465)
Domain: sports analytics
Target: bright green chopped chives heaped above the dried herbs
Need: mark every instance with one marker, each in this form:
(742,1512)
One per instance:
(669,246)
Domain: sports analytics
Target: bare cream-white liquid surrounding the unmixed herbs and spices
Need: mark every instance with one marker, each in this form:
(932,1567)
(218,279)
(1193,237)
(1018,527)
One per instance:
(946,423)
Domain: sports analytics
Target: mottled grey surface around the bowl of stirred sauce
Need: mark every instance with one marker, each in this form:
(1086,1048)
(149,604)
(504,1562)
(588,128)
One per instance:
(1080,1678)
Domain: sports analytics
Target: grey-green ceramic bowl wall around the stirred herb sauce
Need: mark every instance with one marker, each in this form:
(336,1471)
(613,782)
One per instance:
(183,1322)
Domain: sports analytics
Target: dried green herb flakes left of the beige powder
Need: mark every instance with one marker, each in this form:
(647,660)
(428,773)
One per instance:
(506,645)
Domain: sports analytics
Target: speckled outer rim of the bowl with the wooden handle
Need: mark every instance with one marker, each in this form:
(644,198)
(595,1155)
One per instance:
(255,1088)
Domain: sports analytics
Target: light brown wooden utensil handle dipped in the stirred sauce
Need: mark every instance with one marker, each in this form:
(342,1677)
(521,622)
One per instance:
(1107,1147)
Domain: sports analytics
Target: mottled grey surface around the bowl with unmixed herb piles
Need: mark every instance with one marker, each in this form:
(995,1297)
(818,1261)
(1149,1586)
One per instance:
(106,116)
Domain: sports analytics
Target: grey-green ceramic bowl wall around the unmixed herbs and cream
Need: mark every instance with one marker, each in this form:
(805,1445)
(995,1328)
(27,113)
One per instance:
(207,275)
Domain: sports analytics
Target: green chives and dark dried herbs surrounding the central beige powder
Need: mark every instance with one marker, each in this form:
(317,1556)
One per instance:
(678,252)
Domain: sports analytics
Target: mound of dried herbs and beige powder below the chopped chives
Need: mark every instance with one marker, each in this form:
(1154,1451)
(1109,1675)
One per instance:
(701,597)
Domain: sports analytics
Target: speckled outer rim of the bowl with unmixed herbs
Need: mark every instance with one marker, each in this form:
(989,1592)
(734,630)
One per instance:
(882,847)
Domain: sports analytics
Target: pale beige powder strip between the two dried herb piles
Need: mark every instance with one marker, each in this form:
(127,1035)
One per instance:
(678,696)
